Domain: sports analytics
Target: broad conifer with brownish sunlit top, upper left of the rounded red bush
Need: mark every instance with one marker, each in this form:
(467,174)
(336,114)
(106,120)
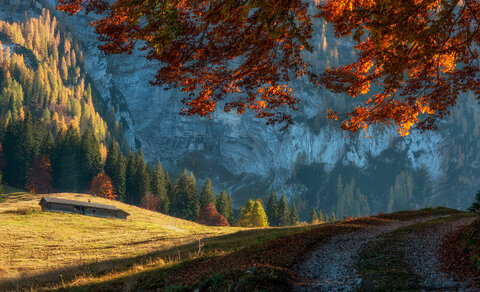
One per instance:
(184,204)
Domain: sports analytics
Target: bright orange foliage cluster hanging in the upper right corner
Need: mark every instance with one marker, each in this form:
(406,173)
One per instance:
(419,55)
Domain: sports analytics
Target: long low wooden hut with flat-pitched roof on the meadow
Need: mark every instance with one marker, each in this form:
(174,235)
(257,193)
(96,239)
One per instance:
(50,204)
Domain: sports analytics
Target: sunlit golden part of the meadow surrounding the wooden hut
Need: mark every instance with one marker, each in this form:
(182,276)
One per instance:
(35,242)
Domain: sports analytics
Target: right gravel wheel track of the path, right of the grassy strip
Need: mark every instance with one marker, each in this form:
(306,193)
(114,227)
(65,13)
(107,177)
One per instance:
(422,254)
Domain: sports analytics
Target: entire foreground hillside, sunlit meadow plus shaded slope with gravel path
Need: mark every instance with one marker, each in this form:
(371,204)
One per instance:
(151,251)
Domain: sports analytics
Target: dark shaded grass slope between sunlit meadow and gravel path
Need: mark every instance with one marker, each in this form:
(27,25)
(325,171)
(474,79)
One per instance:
(273,251)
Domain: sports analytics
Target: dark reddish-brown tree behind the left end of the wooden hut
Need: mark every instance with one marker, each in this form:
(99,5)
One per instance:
(39,178)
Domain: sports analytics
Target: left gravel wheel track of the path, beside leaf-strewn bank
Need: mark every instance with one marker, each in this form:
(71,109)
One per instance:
(332,266)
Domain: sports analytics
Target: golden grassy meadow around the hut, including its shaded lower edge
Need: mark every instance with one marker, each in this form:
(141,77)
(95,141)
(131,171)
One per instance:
(42,249)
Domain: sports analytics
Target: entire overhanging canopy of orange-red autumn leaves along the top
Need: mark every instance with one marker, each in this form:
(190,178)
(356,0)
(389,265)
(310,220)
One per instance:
(414,58)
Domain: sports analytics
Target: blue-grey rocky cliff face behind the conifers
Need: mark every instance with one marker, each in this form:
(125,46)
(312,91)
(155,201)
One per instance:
(243,155)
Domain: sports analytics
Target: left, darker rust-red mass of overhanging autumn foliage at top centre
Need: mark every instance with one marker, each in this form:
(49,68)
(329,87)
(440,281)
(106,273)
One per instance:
(240,52)
